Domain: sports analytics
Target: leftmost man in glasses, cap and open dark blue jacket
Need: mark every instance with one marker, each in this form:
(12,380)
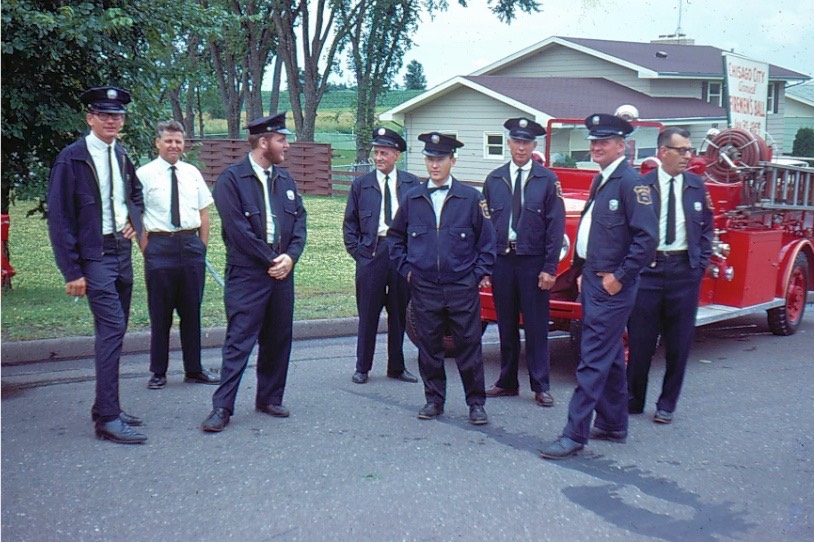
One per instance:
(94,210)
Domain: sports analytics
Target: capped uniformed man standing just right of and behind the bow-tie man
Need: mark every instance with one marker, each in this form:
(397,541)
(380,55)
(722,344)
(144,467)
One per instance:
(525,201)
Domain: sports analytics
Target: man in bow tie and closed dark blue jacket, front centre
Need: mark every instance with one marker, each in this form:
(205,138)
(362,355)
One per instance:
(443,243)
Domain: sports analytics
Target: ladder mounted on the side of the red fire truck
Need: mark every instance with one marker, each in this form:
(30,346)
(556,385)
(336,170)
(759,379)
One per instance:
(786,188)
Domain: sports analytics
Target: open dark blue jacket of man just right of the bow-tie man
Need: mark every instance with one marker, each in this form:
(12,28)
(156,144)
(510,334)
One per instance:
(542,221)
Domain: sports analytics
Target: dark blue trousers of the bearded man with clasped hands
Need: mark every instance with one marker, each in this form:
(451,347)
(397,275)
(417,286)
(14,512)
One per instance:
(258,309)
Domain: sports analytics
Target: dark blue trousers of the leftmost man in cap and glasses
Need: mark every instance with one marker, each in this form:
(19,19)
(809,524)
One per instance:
(109,289)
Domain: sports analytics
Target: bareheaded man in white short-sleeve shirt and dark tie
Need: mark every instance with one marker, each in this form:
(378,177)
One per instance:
(176,218)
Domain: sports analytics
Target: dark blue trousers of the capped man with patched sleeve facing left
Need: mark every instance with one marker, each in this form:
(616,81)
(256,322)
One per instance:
(601,382)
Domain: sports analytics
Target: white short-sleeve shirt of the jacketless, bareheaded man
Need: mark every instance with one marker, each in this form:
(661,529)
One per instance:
(193,195)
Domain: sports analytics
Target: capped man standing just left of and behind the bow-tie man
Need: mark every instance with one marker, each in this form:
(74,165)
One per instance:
(372,202)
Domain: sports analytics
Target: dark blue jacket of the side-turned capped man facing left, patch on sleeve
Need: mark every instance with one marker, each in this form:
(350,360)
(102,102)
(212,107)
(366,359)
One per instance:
(624,227)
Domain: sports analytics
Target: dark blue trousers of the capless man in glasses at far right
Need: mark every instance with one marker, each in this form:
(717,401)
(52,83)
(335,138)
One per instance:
(666,303)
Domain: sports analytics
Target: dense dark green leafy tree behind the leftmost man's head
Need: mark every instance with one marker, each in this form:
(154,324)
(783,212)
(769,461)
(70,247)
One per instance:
(51,52)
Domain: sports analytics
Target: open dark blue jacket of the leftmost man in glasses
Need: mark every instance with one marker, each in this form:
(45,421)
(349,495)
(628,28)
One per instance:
(75,206)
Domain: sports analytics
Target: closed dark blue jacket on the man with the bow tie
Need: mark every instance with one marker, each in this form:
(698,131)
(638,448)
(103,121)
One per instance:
(463,243)
